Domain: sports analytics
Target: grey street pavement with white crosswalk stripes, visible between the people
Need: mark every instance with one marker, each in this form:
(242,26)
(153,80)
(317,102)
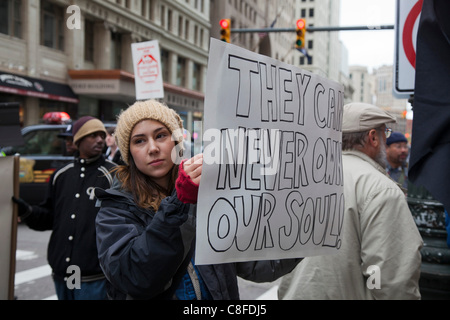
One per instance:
(33,274)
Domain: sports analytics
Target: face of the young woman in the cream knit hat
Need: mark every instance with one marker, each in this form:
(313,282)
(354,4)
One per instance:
(151,147)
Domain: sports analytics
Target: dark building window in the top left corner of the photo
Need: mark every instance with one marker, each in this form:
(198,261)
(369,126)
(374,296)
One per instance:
(11,18)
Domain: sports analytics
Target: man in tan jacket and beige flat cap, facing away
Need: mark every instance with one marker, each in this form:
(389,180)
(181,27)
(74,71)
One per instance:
(380,254)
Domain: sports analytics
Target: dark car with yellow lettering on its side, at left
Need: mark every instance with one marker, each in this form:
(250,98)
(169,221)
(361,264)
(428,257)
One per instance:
(42,154)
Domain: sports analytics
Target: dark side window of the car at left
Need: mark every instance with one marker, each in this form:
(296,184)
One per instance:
(41,143)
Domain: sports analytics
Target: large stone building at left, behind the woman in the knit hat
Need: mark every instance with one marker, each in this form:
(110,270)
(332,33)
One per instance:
(82,49)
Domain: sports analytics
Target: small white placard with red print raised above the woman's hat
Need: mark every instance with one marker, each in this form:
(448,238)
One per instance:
(147,70)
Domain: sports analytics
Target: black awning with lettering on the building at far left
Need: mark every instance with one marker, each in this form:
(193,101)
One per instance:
(26,86)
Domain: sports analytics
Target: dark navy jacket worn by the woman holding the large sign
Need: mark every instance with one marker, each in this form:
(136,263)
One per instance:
(144,254)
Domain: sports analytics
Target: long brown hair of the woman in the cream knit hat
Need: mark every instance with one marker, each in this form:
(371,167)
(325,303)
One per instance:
(147,194)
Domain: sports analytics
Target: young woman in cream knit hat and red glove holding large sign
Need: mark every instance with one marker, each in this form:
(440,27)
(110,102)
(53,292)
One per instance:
(146,224)
